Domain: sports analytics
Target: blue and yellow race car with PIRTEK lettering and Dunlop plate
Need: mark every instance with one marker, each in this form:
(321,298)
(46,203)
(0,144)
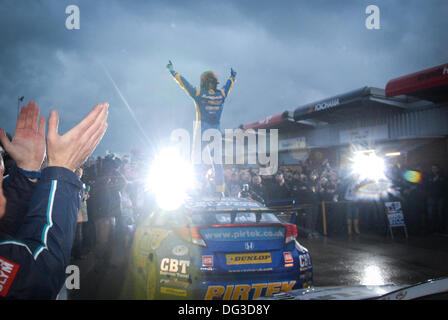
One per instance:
(229,248)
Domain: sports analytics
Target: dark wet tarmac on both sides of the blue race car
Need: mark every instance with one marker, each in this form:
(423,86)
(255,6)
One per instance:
(367,259)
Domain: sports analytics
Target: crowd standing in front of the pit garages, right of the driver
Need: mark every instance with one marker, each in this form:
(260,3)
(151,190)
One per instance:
(309,184)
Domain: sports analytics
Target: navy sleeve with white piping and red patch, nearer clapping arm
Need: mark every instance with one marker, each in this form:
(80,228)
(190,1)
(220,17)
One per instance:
(33,263)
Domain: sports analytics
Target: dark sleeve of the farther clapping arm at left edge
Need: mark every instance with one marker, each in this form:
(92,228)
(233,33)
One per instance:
(18,191)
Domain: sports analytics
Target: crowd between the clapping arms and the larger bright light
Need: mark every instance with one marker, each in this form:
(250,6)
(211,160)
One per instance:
(114,197)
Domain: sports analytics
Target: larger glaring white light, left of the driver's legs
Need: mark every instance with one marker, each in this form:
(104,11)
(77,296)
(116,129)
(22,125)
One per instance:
(170,177)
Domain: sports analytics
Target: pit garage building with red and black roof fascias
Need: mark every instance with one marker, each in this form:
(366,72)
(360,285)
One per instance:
(408,120)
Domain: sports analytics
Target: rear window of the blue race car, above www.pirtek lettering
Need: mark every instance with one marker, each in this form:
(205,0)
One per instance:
(212,218)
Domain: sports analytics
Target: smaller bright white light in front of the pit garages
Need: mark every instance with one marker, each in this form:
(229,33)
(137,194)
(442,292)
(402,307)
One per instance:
(368,166)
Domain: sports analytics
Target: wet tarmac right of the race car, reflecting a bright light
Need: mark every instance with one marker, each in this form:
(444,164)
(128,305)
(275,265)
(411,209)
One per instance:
(374,260)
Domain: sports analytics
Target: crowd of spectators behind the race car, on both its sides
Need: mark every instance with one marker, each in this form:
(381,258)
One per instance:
(117,197)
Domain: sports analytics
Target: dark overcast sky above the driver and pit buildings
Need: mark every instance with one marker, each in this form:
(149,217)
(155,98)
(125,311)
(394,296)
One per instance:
(286,53)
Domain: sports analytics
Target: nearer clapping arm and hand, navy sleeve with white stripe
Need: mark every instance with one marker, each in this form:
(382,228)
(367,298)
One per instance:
(32,264)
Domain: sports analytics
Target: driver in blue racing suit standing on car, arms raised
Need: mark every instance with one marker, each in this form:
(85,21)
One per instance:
(209,102)
